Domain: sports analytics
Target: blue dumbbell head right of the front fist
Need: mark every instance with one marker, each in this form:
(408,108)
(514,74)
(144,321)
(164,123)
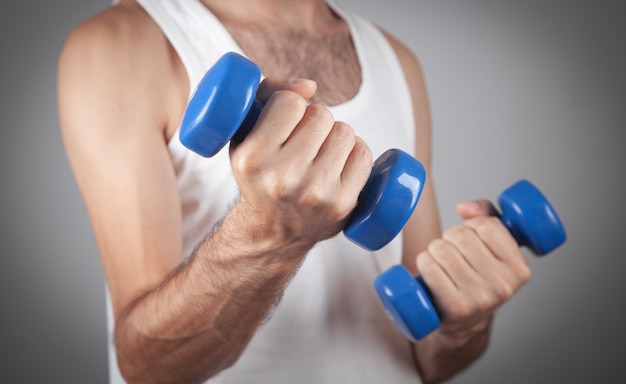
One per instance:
(387,200)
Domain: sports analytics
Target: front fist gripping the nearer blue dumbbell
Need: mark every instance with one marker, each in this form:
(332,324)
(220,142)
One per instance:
(299,171)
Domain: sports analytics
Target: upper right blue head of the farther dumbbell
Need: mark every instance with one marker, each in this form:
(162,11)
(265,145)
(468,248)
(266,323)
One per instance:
(530,218)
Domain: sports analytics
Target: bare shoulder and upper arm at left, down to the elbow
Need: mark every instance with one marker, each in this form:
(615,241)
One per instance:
(117,83)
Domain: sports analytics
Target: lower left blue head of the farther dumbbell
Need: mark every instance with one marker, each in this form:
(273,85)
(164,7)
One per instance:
(408,302)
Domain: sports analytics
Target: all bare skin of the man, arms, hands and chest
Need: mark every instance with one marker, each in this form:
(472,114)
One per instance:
(122,93)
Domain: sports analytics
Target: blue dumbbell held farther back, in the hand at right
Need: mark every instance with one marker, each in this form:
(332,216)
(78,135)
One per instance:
(529,217)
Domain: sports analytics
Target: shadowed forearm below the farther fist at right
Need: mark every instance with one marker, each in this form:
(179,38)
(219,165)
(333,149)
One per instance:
(440,357)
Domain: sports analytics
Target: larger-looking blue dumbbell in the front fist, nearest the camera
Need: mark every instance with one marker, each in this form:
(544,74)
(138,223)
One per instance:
(223,108)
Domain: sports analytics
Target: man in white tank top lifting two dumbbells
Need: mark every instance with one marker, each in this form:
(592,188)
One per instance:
(229,268)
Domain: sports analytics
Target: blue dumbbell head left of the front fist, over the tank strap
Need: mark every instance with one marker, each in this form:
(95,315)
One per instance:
(219,104)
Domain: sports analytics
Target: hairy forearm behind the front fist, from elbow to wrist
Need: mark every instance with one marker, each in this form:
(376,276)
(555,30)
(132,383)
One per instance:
(199,320)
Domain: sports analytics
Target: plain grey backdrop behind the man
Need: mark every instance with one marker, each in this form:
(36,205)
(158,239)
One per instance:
(531,89)
